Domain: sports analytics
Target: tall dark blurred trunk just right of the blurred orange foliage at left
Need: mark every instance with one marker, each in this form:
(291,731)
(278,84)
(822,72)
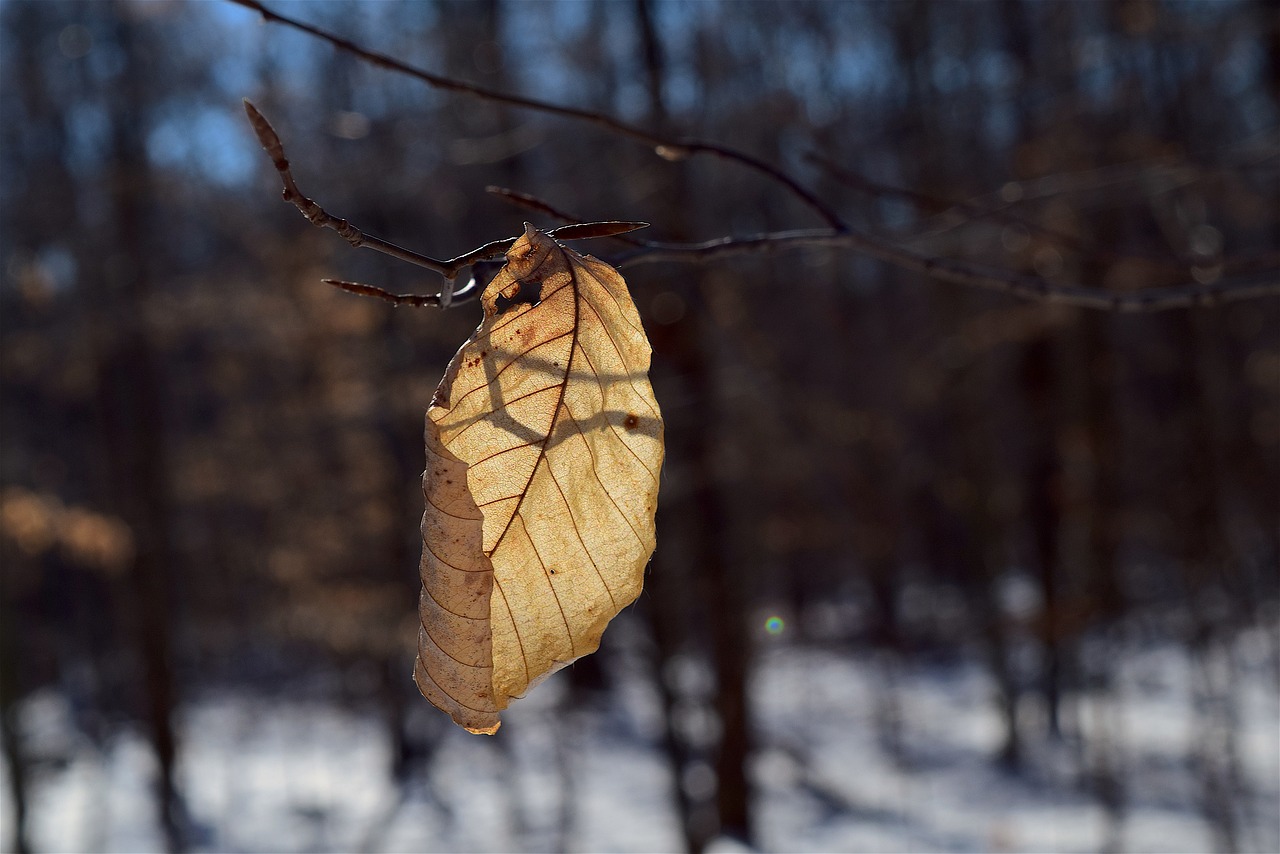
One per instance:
(130,403)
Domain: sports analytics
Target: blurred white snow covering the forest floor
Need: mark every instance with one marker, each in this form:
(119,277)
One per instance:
(268,775)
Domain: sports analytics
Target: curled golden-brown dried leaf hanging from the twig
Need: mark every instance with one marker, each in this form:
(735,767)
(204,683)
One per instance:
(545,446)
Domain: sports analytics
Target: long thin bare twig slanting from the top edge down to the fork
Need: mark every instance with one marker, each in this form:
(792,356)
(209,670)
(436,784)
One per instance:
(668,148)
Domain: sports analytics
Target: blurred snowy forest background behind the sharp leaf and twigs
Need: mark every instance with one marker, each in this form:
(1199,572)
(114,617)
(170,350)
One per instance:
(211,460)
